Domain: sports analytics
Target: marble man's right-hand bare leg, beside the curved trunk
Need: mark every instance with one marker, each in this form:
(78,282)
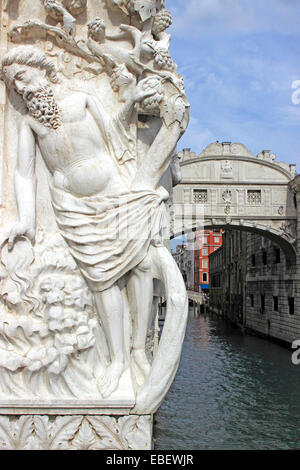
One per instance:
(140,297)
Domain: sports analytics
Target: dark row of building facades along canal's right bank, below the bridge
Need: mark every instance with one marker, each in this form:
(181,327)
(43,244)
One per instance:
(253,286)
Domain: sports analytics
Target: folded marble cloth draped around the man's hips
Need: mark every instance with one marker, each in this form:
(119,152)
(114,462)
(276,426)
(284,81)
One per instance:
(108,235)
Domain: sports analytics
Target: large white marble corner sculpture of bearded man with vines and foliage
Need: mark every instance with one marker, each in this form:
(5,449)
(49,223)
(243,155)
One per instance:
(104,114)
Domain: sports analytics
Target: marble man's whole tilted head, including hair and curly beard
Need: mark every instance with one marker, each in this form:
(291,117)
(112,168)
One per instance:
(28,72)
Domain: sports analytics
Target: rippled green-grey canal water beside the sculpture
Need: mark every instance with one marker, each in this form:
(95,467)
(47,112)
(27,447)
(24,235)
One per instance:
(232,391)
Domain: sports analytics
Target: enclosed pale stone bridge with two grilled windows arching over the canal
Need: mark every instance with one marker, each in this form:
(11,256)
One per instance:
(227,187)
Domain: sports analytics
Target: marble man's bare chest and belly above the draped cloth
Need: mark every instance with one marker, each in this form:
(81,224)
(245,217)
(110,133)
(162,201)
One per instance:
(75,153)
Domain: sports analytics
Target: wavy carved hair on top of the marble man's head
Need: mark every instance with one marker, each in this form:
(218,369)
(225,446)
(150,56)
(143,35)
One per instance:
(28,55)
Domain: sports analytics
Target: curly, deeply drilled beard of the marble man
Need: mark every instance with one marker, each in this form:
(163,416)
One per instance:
(42,106)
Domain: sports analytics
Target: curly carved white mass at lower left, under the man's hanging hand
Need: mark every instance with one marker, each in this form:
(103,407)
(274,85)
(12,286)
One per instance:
(56,322)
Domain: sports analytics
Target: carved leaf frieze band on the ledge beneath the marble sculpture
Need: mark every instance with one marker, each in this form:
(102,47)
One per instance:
(75,433)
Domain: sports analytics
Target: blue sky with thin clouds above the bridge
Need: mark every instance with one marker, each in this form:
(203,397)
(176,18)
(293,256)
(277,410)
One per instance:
(239,59)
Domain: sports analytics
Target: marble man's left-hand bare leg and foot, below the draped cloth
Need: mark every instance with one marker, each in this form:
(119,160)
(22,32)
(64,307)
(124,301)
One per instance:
(109,304)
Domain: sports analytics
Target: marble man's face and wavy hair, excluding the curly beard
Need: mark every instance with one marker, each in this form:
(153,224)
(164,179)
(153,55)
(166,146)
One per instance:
(26,69)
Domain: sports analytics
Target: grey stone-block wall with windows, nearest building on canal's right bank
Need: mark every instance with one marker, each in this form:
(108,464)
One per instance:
(272,296)
